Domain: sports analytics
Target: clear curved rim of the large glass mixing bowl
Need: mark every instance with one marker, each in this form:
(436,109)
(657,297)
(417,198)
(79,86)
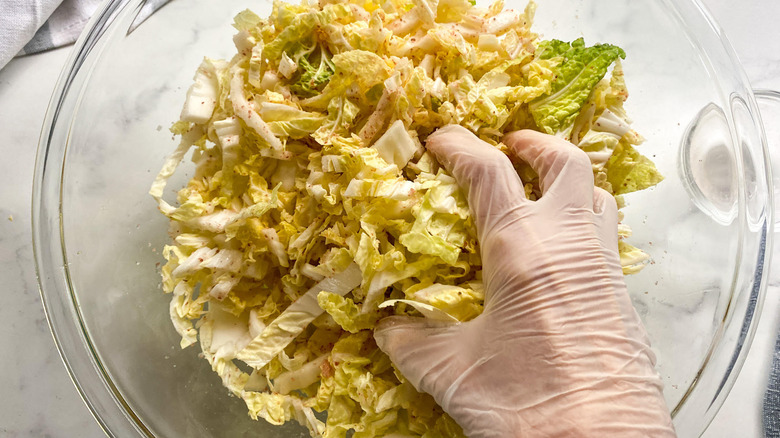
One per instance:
(102,397)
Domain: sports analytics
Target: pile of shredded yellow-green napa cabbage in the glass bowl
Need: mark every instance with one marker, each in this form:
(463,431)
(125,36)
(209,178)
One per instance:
(314,209)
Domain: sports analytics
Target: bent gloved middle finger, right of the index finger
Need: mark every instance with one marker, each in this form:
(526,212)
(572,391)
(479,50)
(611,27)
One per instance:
(564,170)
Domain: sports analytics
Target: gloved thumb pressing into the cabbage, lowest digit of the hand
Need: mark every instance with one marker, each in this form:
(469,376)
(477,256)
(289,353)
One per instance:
(421,349)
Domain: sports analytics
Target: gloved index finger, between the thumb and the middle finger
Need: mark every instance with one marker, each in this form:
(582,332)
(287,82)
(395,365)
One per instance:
(482,170)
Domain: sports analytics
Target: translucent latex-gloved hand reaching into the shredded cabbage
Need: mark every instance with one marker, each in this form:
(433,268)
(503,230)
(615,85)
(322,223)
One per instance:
(559,349)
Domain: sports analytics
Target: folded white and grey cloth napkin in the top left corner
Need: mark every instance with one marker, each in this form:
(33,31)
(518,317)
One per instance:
(32,26)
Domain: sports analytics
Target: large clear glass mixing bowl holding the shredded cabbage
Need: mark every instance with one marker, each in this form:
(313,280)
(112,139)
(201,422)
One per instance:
(98,235)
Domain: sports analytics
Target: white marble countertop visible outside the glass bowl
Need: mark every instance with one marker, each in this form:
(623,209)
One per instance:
(39,400)
